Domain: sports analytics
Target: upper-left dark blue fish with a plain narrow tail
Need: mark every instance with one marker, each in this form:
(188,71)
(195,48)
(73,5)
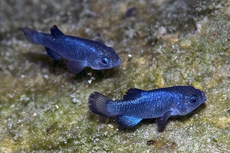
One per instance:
(80,52)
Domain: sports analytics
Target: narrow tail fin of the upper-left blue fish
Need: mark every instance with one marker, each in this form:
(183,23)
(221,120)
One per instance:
(31,35)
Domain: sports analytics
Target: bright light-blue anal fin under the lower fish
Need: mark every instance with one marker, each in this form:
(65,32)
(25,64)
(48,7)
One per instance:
(127,121)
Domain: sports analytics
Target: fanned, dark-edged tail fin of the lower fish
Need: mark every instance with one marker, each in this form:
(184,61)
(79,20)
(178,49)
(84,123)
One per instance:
(97,104)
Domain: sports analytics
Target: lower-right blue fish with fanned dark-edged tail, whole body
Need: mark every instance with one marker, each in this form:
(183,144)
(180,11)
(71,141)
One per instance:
(138,104)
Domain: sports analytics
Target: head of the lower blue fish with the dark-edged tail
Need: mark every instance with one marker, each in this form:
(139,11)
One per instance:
(192,98)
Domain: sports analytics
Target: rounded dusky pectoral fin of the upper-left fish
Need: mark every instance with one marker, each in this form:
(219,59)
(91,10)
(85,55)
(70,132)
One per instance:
(75,66)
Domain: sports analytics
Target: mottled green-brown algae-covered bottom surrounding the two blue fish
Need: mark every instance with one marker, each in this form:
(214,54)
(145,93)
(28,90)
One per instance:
(44,108)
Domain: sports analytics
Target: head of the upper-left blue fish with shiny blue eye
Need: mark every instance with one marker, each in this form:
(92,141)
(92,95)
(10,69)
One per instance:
(104,58)
